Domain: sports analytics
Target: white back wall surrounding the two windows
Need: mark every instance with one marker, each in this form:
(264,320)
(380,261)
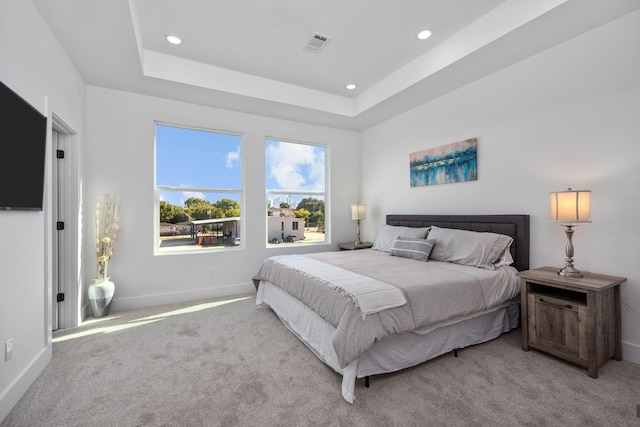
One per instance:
(120,159)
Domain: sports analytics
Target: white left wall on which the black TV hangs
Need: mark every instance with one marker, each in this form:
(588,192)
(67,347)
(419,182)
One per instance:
(34,65)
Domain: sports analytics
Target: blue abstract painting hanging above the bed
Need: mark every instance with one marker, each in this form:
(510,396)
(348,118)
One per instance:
(455,162)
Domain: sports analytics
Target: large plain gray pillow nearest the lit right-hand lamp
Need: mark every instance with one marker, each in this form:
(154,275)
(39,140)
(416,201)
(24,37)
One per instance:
(474,248)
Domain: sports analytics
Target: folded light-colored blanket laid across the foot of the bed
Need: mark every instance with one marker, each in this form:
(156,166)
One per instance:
(368,294)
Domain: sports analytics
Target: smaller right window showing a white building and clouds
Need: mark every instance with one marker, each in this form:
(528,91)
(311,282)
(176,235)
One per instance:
(296,192)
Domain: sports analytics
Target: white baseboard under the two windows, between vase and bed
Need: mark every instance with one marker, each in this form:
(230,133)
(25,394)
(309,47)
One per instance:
(123,304)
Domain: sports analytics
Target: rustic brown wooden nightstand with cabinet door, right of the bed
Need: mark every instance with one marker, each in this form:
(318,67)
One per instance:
(576,319)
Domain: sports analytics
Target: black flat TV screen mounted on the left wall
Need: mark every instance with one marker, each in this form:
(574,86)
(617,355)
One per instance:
(23,145)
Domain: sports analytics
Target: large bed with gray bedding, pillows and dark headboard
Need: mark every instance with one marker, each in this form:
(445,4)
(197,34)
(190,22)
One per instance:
(429,285)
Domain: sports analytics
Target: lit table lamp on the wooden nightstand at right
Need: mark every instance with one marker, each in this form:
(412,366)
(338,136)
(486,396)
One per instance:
(570,208)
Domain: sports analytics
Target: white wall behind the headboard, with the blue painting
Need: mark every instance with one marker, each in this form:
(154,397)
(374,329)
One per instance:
(568,117)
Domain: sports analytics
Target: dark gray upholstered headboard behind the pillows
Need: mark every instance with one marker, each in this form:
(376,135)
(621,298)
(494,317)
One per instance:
(516,226)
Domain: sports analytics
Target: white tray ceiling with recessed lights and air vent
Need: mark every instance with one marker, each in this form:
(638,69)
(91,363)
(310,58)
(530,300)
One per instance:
(247,55)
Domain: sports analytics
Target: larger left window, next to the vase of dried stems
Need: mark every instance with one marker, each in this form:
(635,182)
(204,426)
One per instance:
(198,189)
